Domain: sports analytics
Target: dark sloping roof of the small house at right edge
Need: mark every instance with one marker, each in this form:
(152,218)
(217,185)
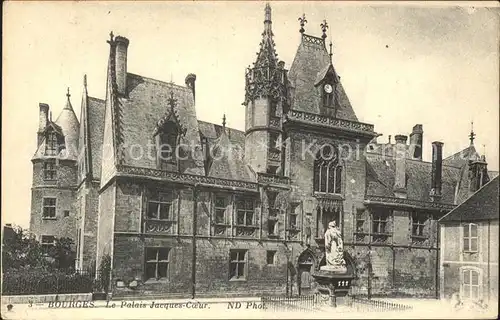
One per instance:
(482,205)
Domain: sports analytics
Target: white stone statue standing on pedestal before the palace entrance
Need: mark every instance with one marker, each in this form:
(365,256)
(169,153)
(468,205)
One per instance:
(334,249)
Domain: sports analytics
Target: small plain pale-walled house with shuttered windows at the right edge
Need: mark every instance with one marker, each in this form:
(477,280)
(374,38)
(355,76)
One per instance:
(469,247)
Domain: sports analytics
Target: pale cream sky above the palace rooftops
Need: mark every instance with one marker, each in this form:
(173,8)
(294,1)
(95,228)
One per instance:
(433,64)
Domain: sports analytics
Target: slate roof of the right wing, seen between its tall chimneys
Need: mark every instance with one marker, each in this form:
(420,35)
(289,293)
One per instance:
(381,175)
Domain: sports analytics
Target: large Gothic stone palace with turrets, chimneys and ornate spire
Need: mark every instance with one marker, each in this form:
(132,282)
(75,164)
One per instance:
(189,208)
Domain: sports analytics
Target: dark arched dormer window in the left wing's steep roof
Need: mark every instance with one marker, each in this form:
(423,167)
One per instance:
(168,142)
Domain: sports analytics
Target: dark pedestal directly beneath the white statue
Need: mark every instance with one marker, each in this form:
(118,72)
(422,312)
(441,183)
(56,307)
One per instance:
(334,281)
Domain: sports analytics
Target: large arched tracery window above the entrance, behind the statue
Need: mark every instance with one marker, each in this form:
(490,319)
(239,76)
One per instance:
(327,171)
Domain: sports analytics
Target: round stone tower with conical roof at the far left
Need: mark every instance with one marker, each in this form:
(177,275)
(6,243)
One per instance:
(55,175)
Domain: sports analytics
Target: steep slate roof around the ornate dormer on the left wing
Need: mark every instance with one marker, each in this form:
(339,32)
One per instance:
(140,112)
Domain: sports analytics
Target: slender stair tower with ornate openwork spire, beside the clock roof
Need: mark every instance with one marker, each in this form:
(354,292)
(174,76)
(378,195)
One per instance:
(265,101)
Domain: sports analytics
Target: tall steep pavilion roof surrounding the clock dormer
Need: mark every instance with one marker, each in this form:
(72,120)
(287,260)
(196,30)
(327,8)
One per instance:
(311,63)
